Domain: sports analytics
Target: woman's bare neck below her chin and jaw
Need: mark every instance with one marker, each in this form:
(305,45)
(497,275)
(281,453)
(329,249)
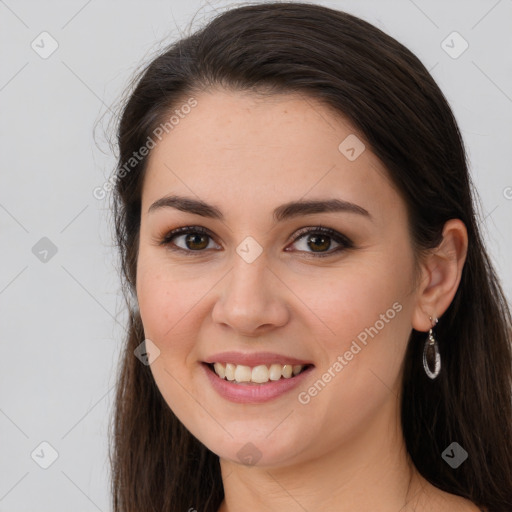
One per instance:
(370,471)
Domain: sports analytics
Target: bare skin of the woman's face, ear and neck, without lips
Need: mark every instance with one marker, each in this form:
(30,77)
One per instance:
(343,449)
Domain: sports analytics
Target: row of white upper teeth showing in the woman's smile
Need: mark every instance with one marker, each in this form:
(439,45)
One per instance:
(258,374)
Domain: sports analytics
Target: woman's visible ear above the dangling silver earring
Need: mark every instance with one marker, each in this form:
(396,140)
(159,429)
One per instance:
(441,271)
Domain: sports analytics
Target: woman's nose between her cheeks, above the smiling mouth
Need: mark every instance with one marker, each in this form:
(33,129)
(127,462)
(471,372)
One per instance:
(252,299)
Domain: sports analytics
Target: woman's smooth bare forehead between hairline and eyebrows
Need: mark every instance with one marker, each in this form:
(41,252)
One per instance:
(239,149)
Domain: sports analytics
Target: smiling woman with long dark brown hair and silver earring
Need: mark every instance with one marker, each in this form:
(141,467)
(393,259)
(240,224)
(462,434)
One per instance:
(317,323)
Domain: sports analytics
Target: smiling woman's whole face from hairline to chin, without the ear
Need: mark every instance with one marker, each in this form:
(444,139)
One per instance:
(327,292)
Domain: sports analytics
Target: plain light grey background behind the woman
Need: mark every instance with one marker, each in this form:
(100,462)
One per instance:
(61,320)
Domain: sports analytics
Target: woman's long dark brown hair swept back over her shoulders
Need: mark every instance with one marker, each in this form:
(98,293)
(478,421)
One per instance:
(389,96)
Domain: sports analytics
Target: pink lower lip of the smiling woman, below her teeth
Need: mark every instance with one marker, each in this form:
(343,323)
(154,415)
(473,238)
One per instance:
(253,393)
